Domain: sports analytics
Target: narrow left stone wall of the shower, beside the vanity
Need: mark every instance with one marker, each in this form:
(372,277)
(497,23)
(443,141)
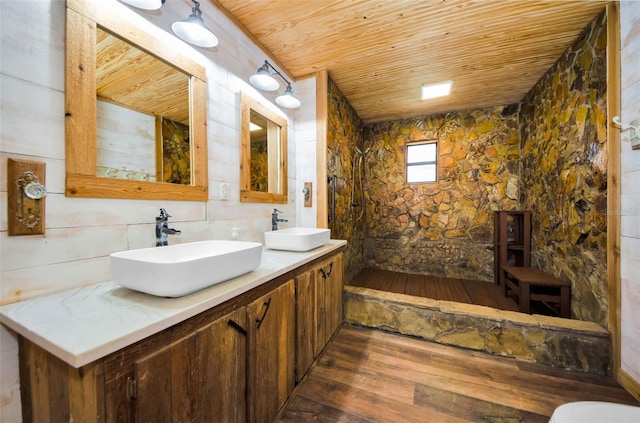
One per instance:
(344,135)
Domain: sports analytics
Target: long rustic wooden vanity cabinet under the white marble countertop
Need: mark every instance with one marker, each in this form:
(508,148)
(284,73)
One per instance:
(233,363)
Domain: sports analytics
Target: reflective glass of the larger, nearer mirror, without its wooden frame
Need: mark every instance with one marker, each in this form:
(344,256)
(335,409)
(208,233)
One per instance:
(142,114)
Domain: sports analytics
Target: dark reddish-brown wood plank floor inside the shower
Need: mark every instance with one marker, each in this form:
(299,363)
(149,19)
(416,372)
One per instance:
(435,287)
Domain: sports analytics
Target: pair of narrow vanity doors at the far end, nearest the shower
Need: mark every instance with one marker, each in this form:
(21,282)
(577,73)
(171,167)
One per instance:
(319,310)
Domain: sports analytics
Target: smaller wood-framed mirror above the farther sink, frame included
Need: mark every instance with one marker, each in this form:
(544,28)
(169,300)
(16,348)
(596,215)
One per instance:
(263,153)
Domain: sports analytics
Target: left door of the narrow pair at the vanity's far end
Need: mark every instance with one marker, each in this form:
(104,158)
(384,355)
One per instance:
(306,321)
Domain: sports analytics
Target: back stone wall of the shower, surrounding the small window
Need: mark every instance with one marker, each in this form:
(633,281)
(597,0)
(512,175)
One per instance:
(443,228)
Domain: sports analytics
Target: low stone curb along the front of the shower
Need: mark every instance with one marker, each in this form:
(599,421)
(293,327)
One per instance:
(564,343)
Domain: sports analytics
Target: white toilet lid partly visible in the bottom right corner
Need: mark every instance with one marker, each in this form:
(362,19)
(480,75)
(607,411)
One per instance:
(595,412)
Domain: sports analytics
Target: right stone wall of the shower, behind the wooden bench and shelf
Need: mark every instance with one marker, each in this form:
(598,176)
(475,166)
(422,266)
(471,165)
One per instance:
(564,169)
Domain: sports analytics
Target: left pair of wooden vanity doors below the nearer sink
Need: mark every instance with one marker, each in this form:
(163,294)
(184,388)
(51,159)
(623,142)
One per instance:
(200,378)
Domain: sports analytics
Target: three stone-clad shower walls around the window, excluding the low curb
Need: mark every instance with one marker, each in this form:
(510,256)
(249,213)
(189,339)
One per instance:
(507,157)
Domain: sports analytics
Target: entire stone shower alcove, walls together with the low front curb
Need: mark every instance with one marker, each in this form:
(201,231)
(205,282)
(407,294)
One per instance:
(508,157)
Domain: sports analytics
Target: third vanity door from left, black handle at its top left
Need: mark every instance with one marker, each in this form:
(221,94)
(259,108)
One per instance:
(271,328)
